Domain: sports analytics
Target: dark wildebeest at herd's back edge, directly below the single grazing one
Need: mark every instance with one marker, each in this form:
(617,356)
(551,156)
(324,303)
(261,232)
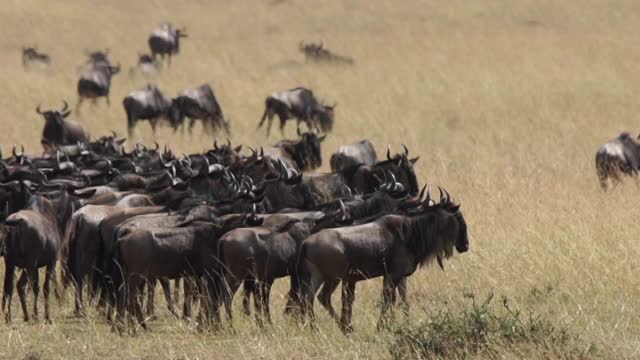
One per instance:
(303,155)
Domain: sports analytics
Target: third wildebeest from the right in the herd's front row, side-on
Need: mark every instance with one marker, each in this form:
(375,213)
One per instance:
(187,251)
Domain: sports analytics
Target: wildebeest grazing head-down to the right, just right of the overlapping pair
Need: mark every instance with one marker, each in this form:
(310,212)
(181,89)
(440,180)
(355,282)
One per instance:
(299,104)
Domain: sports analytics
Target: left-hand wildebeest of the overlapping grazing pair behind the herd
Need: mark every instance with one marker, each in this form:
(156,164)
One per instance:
(148,103)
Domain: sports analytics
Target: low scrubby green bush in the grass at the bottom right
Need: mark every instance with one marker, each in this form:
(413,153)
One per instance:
(482,328)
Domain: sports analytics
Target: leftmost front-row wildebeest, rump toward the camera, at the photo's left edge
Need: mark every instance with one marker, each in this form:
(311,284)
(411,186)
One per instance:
(35,236)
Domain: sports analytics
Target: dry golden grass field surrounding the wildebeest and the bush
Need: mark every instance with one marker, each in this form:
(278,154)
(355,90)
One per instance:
(506,102)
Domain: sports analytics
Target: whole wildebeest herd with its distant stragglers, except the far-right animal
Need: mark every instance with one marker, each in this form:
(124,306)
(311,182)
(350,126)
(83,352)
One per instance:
(117,221)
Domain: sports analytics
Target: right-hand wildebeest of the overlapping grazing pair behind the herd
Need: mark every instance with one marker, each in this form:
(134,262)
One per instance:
(199,103)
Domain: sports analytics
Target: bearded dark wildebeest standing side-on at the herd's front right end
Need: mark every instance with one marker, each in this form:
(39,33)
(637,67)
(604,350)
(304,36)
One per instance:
(393,246)
